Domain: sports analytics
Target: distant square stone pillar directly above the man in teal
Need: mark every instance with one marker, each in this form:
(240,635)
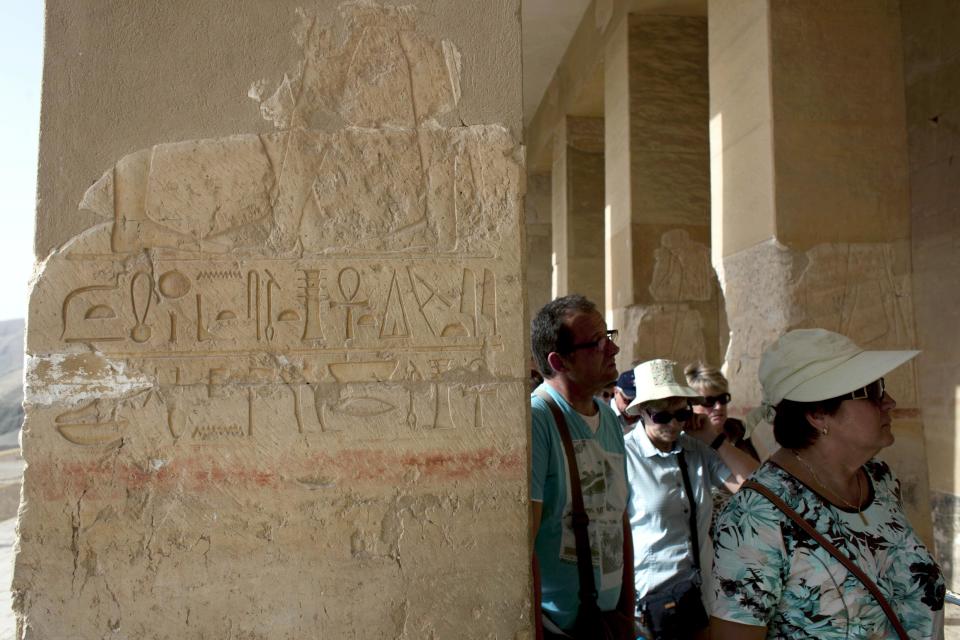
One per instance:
(578,208)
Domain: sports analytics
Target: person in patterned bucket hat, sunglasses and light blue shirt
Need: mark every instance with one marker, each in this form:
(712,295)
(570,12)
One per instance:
(674,459)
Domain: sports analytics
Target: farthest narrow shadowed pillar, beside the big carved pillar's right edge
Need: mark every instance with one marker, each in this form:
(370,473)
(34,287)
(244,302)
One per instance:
(539,241)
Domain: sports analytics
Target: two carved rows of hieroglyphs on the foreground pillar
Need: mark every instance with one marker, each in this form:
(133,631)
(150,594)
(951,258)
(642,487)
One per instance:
(360,340)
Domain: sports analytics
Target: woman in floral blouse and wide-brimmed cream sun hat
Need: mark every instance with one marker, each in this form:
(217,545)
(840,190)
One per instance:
(816,543)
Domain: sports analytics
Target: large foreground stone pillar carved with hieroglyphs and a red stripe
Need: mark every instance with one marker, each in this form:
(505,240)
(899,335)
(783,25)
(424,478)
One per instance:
(276,374)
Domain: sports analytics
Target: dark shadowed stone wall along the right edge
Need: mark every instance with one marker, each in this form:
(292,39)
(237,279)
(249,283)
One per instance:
(931,34)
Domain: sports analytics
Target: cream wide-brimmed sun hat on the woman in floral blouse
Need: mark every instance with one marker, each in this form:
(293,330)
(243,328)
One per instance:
(806,365)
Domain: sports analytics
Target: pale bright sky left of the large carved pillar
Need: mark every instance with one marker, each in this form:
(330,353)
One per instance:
(21,57)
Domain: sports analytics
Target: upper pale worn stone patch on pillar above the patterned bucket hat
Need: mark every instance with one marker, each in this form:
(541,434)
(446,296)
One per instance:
(682,270)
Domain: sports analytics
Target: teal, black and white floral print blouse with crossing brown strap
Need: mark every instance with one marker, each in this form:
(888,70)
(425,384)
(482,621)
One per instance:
(768,572)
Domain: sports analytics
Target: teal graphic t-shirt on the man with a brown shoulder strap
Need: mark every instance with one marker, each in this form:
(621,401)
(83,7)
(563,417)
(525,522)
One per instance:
(602,462)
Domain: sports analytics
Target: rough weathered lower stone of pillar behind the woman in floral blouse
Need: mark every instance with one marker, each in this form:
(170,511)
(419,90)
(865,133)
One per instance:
(860,290)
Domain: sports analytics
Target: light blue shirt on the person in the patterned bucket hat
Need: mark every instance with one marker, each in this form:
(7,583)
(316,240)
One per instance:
(659,510)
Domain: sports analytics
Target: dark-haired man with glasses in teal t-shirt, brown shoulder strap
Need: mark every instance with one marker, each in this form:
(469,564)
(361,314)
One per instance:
(576,352)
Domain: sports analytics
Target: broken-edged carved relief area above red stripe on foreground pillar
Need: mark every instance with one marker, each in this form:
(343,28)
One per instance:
(304,281)
